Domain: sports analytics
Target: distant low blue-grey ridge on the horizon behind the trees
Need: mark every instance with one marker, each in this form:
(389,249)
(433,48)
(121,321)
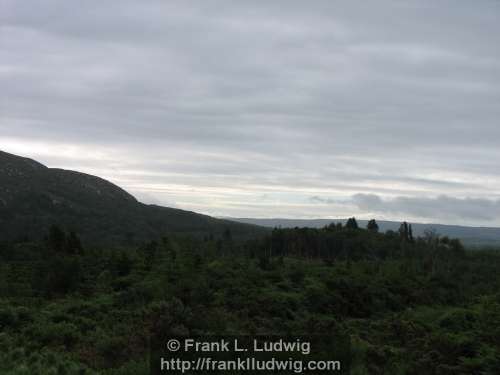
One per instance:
(470,236)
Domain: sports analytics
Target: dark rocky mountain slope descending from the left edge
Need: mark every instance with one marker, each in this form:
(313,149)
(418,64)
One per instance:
(33,197)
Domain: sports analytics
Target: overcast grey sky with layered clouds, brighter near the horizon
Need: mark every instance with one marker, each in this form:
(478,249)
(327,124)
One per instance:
(292,109)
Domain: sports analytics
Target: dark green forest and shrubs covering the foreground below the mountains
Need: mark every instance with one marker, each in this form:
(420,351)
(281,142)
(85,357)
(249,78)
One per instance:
(423,305)
